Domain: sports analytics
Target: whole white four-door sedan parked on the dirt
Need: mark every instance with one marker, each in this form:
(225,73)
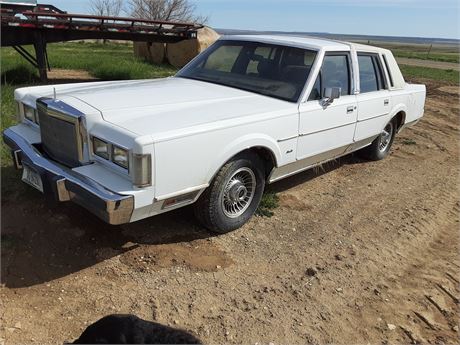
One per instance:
(250,110)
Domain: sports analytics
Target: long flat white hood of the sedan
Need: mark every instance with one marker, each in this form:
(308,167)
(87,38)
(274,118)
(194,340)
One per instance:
(162,106)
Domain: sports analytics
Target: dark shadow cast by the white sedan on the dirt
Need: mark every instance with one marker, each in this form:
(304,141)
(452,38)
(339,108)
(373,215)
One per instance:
(43,240)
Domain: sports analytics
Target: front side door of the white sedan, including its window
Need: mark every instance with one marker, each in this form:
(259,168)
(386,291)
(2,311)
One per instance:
(326,131)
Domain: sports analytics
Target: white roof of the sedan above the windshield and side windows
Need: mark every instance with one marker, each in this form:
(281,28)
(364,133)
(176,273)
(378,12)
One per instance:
(305,42)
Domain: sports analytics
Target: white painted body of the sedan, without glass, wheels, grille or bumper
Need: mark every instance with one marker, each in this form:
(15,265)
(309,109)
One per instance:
(192,128)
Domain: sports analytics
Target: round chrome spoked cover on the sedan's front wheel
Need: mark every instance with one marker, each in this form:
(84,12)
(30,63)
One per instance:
(239,192)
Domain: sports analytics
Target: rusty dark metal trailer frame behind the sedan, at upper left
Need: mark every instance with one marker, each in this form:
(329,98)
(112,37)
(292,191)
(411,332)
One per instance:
(45,24)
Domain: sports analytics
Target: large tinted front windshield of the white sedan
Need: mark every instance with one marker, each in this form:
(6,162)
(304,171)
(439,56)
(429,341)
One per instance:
(267,69)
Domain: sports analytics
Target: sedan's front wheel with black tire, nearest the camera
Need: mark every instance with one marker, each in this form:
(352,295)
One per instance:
(210,209)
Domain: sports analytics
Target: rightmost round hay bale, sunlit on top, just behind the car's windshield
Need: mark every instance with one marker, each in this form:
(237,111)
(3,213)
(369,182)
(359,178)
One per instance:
(179,54)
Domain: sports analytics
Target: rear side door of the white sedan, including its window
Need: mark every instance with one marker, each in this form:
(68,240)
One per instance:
(374,99)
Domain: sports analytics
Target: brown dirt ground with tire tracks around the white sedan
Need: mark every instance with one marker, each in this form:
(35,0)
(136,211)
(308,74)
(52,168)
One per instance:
(357,252)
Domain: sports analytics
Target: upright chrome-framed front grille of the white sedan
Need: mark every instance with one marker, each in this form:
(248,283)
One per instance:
(61,131)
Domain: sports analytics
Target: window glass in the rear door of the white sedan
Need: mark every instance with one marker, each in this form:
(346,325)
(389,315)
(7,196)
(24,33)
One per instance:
(370,73)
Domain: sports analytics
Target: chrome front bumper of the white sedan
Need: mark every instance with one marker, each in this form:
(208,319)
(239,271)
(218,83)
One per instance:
(65,184)
